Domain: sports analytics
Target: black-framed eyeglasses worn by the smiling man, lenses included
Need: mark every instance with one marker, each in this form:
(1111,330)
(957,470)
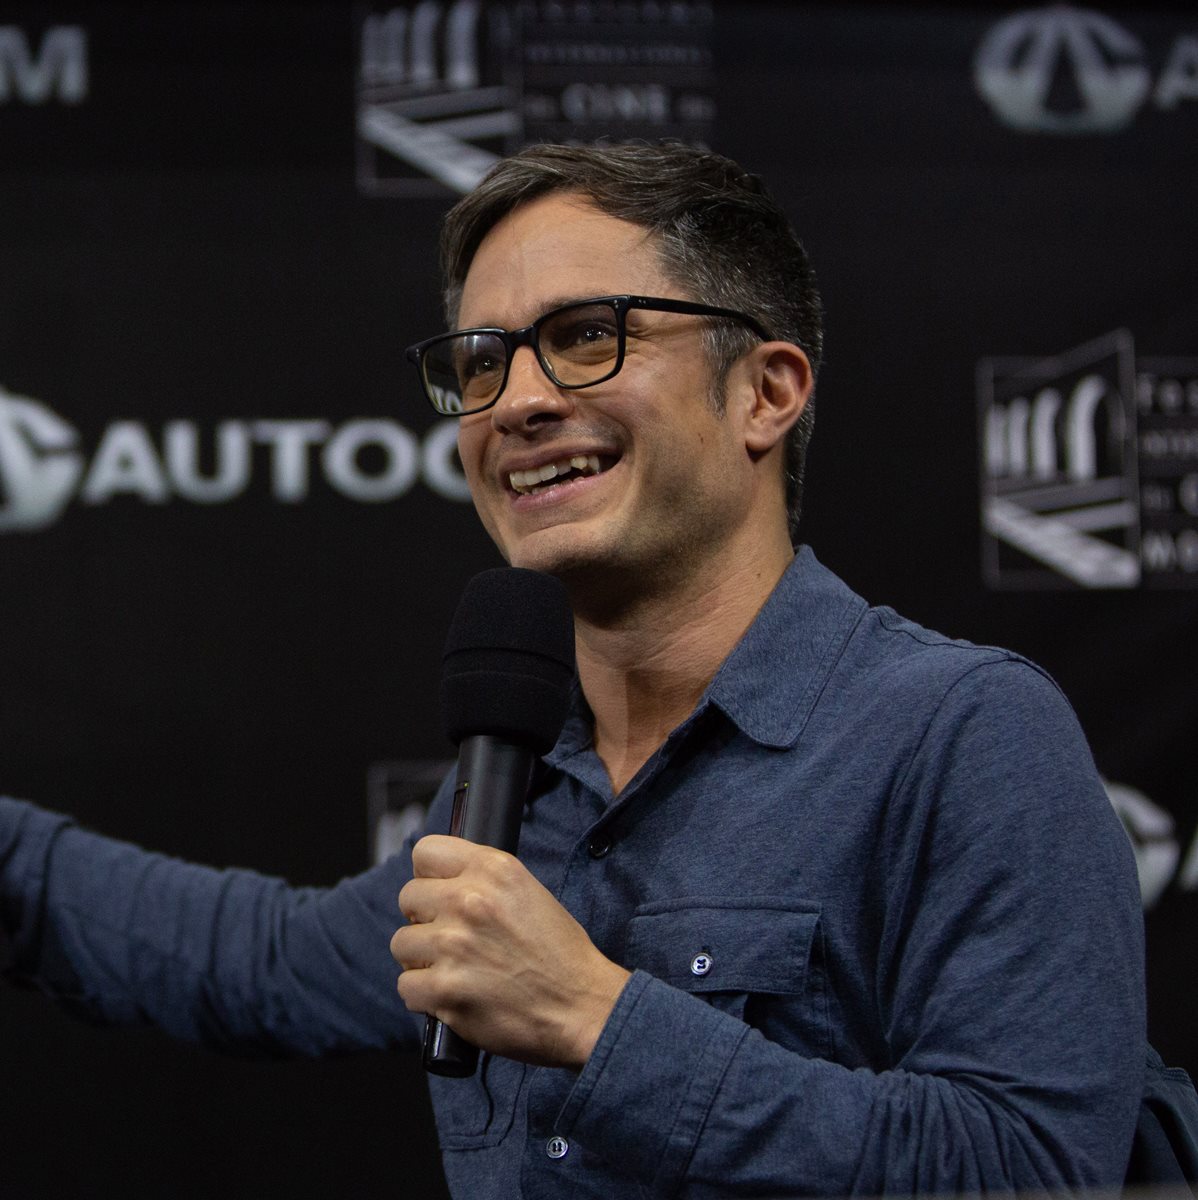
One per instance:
(577,346)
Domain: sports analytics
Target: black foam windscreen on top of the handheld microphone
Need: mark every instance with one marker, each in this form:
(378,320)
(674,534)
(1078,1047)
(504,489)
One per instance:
(510,659)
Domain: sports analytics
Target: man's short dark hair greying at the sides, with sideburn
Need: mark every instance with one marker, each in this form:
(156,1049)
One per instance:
(721,237)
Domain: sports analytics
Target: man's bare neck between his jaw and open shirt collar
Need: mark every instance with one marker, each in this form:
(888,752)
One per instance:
(645,663)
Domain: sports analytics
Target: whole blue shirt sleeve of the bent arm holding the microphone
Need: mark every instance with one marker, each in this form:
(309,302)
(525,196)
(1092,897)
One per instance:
(1009,988)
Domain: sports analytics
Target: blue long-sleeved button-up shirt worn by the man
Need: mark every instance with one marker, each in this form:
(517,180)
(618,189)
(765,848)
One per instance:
(884,928)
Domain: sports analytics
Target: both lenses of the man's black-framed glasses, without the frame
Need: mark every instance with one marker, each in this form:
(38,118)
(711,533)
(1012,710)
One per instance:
(577,346)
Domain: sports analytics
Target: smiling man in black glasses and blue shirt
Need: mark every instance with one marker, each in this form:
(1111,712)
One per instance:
(788,916)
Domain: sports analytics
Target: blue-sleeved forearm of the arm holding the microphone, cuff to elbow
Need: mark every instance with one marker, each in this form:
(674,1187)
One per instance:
(694,1103)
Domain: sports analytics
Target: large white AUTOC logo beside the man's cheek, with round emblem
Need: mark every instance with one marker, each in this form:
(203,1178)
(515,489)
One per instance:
(45,466)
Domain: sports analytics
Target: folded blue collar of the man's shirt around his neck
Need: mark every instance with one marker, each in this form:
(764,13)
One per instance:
(769,685)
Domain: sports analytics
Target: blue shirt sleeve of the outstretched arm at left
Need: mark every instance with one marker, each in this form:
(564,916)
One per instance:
(229,958)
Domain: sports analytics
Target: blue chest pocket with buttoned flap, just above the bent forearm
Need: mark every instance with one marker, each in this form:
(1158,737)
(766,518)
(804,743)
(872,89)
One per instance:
(758,958)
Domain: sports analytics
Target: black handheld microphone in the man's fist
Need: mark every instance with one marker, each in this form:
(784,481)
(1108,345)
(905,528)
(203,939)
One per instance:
(505,689)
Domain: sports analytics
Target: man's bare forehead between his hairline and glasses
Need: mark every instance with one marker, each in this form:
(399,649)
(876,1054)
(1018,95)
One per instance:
(554,250)
